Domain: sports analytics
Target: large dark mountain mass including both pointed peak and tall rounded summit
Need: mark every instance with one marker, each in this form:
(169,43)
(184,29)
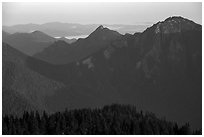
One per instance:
(158,70)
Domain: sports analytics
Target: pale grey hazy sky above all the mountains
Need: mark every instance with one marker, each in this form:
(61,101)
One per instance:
(98,13)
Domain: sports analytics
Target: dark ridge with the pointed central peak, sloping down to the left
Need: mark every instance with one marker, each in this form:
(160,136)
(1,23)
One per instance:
(99,39)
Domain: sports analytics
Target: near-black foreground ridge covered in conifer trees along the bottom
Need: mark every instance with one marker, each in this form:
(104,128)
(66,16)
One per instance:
(113,119)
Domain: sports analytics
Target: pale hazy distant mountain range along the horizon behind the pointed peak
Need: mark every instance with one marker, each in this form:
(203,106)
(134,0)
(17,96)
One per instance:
(57,29)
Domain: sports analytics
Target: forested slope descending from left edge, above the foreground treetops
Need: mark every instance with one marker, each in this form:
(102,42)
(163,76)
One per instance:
(22,88)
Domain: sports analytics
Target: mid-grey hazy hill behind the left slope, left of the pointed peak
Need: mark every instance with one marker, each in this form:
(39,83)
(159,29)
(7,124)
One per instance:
(29,43)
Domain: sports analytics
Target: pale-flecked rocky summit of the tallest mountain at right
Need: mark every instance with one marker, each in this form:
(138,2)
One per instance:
(176,24)
